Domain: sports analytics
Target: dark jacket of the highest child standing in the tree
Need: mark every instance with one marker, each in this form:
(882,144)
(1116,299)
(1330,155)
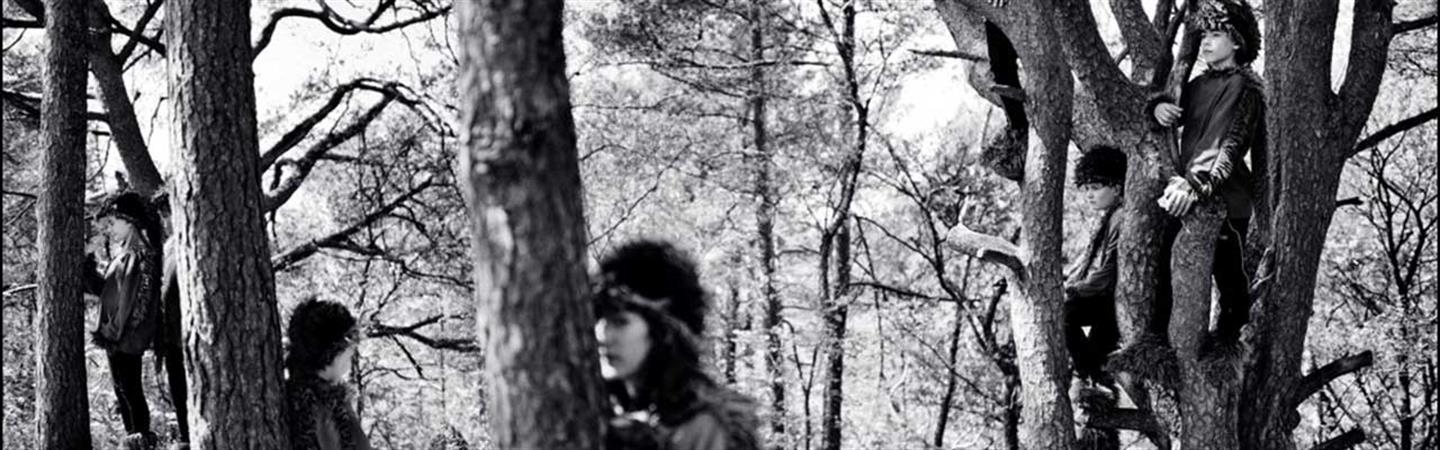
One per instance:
(1225,120)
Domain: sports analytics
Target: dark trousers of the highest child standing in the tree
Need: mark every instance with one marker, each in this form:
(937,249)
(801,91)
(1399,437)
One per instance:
(1229,272)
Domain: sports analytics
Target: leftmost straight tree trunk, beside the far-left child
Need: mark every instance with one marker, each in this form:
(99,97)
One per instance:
(61,405)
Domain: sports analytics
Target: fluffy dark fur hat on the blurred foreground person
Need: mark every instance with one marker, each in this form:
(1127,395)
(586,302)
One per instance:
(654,276)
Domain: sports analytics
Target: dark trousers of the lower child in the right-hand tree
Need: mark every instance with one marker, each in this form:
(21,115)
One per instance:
(1089,353)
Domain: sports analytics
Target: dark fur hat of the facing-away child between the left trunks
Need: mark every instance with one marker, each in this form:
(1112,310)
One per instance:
(319,331)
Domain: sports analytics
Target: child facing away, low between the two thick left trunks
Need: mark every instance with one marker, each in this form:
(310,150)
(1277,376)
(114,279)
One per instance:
(323,340)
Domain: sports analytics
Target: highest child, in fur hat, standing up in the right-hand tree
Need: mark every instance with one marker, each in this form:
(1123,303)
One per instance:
(1222,115)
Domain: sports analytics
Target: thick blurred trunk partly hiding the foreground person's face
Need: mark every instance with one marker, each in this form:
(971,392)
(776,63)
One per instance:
(528,227)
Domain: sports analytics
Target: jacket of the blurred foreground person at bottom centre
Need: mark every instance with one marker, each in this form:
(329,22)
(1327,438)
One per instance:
(718,420)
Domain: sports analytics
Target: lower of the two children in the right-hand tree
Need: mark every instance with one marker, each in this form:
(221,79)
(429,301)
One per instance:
(1091,282)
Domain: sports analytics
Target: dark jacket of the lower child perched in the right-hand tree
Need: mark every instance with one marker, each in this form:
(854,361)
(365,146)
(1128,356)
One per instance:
(1095,275)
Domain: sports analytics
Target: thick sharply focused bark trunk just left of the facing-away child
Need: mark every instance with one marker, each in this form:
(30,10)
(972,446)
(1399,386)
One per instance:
(231,319)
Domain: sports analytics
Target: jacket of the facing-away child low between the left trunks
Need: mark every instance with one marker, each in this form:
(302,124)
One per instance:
(322,416)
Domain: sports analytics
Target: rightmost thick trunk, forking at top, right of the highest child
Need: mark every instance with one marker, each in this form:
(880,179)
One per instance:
(1311,131)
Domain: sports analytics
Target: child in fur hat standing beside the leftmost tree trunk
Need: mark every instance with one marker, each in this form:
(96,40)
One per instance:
(129,301)
